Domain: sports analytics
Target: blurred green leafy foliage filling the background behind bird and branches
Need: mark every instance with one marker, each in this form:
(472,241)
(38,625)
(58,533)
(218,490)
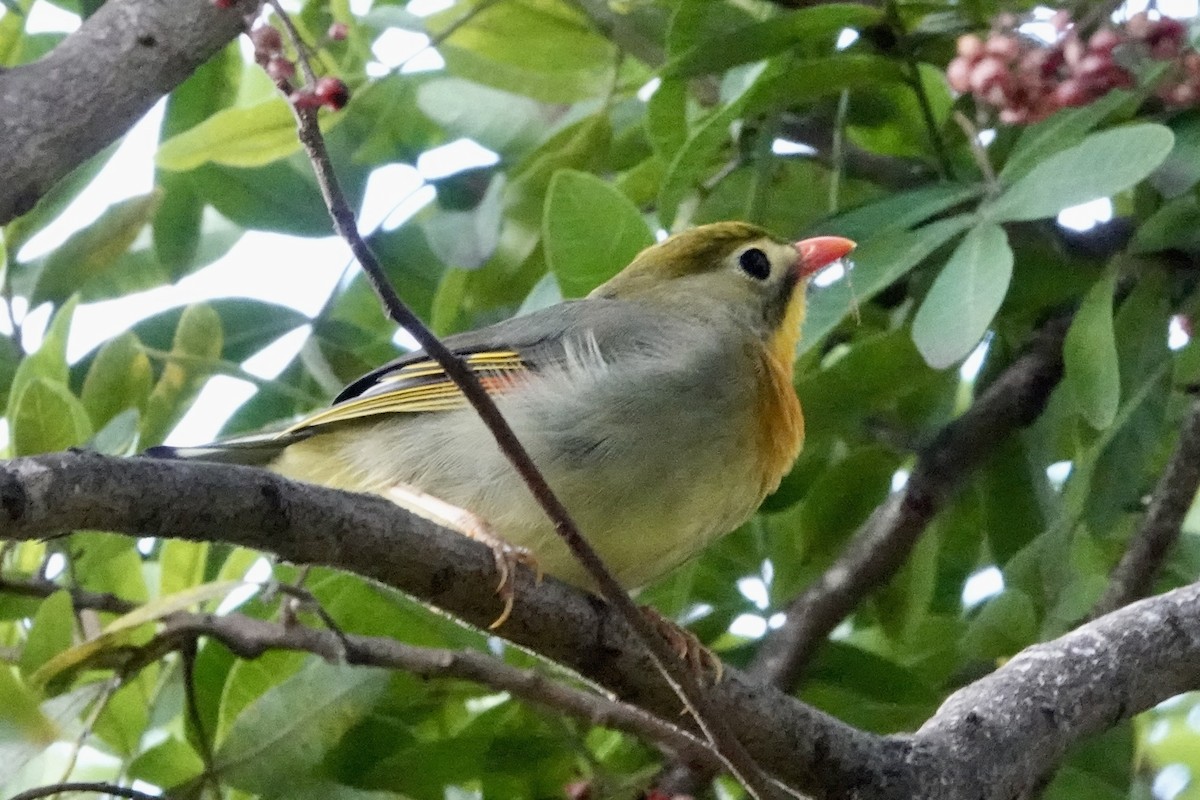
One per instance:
(613,123)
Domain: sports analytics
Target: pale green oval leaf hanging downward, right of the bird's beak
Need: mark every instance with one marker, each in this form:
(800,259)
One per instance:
(965,297)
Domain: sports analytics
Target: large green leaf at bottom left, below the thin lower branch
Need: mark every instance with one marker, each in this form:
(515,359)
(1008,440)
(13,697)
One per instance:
(284,736)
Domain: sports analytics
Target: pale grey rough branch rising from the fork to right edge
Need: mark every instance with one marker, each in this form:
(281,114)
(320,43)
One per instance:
(999,736)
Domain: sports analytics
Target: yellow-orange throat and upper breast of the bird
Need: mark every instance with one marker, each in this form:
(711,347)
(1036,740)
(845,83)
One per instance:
(781,422)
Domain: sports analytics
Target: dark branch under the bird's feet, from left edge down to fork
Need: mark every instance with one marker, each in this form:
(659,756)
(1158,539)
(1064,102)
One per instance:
(376,539)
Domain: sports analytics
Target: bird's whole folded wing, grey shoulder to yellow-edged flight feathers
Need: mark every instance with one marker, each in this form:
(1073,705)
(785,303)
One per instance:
(501,356)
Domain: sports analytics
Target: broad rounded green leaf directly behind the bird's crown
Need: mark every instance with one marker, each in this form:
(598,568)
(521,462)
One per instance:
(591,232)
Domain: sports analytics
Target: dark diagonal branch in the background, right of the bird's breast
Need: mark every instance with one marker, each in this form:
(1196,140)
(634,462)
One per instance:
(881,546)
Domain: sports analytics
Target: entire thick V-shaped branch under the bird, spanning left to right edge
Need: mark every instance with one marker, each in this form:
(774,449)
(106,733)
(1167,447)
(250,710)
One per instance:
(988,742)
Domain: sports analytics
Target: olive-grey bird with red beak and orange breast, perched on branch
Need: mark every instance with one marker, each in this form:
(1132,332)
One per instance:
(661,410)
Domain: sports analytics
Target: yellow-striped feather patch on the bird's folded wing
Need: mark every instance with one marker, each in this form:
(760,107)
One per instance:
(422,387)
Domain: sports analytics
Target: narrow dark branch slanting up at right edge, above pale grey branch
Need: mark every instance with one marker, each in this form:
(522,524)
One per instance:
(1160,530)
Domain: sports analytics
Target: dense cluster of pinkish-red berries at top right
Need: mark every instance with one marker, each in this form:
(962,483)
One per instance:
(1028,80)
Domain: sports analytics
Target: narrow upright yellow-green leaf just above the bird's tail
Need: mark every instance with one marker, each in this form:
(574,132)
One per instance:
(199,338)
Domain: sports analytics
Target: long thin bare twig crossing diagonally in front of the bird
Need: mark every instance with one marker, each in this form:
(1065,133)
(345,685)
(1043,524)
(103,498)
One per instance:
(677,673)
